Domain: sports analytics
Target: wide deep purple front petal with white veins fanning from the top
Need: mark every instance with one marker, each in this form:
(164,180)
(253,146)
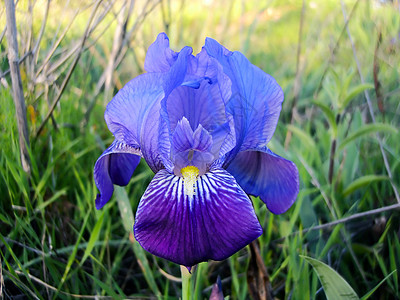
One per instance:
(213,224)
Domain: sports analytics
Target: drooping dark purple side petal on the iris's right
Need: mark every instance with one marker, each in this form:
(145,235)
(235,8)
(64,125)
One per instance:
(263,173)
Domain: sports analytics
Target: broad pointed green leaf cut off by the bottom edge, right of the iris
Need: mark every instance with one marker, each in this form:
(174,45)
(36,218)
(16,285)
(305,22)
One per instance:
(335,287)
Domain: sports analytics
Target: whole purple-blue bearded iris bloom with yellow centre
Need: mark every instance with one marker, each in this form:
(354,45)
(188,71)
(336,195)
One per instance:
(202,123)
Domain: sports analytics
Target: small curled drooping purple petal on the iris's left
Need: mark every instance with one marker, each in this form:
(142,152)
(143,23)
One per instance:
(115,166)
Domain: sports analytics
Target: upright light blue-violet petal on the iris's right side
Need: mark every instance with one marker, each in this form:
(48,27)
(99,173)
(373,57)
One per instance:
(256,98)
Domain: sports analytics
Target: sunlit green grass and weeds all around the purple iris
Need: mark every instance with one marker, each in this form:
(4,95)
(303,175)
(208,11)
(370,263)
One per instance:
(55,244)
